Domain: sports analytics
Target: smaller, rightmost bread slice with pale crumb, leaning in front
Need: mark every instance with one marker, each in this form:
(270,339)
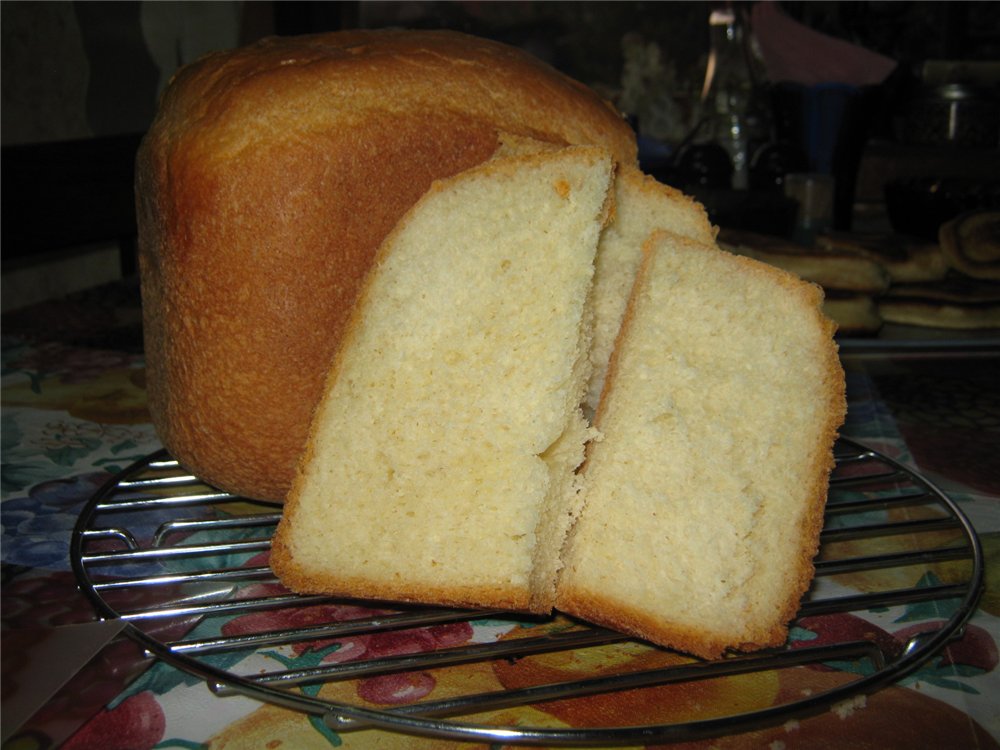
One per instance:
(703,500)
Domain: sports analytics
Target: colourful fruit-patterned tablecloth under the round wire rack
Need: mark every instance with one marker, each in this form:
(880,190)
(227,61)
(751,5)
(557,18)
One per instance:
(74,413)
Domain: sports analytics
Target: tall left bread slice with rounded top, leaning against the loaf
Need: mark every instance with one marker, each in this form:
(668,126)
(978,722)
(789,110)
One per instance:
(440,465)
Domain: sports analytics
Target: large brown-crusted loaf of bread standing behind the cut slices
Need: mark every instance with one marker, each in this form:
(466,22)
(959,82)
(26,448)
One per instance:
(266,183)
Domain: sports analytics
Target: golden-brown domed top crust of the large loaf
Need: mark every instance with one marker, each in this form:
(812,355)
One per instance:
(282,88)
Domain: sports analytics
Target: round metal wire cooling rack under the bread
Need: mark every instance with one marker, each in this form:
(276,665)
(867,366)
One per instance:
(185,567)
